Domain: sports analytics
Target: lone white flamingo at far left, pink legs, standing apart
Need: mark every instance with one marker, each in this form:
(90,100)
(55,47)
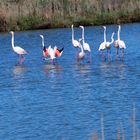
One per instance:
(18,50)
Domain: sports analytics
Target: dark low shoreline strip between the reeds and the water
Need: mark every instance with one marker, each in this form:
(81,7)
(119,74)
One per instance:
(63,25)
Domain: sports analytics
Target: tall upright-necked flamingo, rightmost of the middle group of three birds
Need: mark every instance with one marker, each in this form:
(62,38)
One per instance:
(86,46)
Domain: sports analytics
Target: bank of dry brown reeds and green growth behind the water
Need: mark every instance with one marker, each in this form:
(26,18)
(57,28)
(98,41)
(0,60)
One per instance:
(36,14)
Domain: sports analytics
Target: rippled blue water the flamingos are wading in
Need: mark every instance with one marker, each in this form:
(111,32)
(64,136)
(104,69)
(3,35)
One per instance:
(39,101)
